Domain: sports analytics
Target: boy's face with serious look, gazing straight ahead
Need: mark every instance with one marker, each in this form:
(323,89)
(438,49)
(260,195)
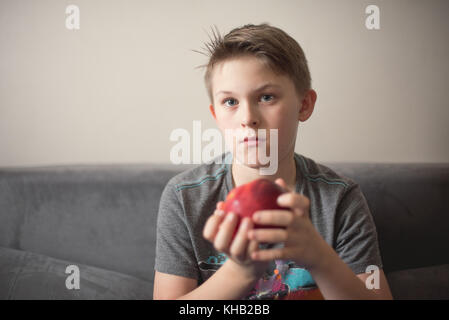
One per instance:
(238,104)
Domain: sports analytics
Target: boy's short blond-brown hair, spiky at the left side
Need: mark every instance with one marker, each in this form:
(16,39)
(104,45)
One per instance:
(271,45)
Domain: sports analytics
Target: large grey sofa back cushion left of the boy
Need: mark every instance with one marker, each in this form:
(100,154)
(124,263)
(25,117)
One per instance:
(102,216)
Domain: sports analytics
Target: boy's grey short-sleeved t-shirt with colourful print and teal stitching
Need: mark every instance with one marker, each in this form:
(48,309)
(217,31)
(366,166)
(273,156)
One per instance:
(338,210)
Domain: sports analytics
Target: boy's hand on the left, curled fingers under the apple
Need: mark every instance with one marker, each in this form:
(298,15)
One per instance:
(219,230)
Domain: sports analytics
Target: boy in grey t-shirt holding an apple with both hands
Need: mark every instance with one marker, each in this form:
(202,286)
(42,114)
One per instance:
(257,78)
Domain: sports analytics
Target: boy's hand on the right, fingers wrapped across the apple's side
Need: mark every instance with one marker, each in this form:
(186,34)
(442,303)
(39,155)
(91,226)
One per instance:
(302,242)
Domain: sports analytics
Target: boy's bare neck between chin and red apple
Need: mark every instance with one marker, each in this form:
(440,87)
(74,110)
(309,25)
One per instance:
(242,174)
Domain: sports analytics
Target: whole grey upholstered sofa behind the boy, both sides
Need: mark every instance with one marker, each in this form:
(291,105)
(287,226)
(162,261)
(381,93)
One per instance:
(102,218)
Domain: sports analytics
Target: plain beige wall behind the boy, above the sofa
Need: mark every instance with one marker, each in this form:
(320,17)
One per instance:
(113,91)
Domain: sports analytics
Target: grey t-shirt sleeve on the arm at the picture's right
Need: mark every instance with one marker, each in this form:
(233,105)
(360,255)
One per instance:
(356,236)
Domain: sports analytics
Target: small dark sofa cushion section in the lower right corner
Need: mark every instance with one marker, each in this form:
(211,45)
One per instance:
(421,283)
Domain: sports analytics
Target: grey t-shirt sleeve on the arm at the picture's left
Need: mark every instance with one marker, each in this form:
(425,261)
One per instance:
(174,250)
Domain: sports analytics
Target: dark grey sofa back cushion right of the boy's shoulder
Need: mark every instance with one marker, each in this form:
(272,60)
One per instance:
(410,209)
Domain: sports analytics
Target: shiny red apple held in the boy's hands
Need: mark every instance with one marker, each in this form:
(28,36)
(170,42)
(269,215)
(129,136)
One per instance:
(260,194)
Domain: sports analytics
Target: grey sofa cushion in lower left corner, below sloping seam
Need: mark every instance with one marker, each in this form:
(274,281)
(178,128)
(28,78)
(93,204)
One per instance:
(27,275)
